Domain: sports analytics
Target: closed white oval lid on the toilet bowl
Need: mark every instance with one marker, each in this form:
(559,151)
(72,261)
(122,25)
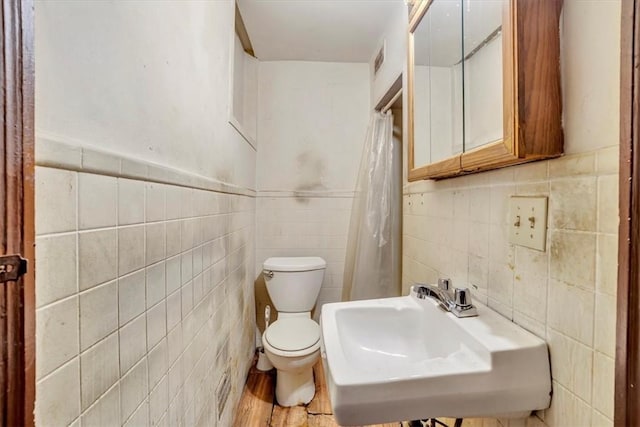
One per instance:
(293,334)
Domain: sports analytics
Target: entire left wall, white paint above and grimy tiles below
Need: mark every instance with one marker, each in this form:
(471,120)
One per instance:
(145,202)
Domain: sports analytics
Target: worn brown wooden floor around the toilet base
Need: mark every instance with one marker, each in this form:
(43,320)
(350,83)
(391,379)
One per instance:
(257,407)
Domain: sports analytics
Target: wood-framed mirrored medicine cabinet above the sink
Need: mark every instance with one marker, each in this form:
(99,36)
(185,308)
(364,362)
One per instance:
(469,64)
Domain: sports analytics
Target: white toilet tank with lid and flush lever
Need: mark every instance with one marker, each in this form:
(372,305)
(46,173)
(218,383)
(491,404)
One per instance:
(294,283)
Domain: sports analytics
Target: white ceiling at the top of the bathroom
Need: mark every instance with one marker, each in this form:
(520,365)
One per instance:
(317,30)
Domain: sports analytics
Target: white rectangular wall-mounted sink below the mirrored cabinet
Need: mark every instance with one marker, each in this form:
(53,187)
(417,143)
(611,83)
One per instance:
(405,358)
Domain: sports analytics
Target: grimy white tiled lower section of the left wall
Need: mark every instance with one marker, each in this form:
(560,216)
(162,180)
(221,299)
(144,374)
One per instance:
(144,297)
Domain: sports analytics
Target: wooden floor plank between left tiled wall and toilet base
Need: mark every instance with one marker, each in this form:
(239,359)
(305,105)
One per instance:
(256,403)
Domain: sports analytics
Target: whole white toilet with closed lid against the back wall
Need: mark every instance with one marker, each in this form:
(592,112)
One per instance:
(292,343)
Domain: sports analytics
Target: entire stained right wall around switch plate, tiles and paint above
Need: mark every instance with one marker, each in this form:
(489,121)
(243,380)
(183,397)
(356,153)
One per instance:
(566,295)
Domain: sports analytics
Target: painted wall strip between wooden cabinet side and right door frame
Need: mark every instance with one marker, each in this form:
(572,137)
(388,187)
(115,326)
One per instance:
(591,110)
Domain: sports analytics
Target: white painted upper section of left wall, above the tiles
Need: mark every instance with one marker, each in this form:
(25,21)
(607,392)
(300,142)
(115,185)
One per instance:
(150,81)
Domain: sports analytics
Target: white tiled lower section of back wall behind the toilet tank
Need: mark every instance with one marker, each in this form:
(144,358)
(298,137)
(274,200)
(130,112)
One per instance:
(307,226)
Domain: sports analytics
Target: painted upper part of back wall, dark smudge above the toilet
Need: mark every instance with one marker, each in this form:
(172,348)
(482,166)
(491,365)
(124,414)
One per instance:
(312,123)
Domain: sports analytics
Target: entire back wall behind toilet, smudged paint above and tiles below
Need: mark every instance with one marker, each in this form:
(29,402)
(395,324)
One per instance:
(312,123)
